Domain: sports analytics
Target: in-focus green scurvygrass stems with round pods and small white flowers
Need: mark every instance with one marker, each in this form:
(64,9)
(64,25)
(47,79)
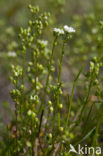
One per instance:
(46,121)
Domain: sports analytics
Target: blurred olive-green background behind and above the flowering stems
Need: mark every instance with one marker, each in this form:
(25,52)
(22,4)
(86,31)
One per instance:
(83,15)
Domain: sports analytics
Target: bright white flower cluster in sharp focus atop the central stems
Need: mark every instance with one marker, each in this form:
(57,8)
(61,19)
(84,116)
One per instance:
(65,29)
